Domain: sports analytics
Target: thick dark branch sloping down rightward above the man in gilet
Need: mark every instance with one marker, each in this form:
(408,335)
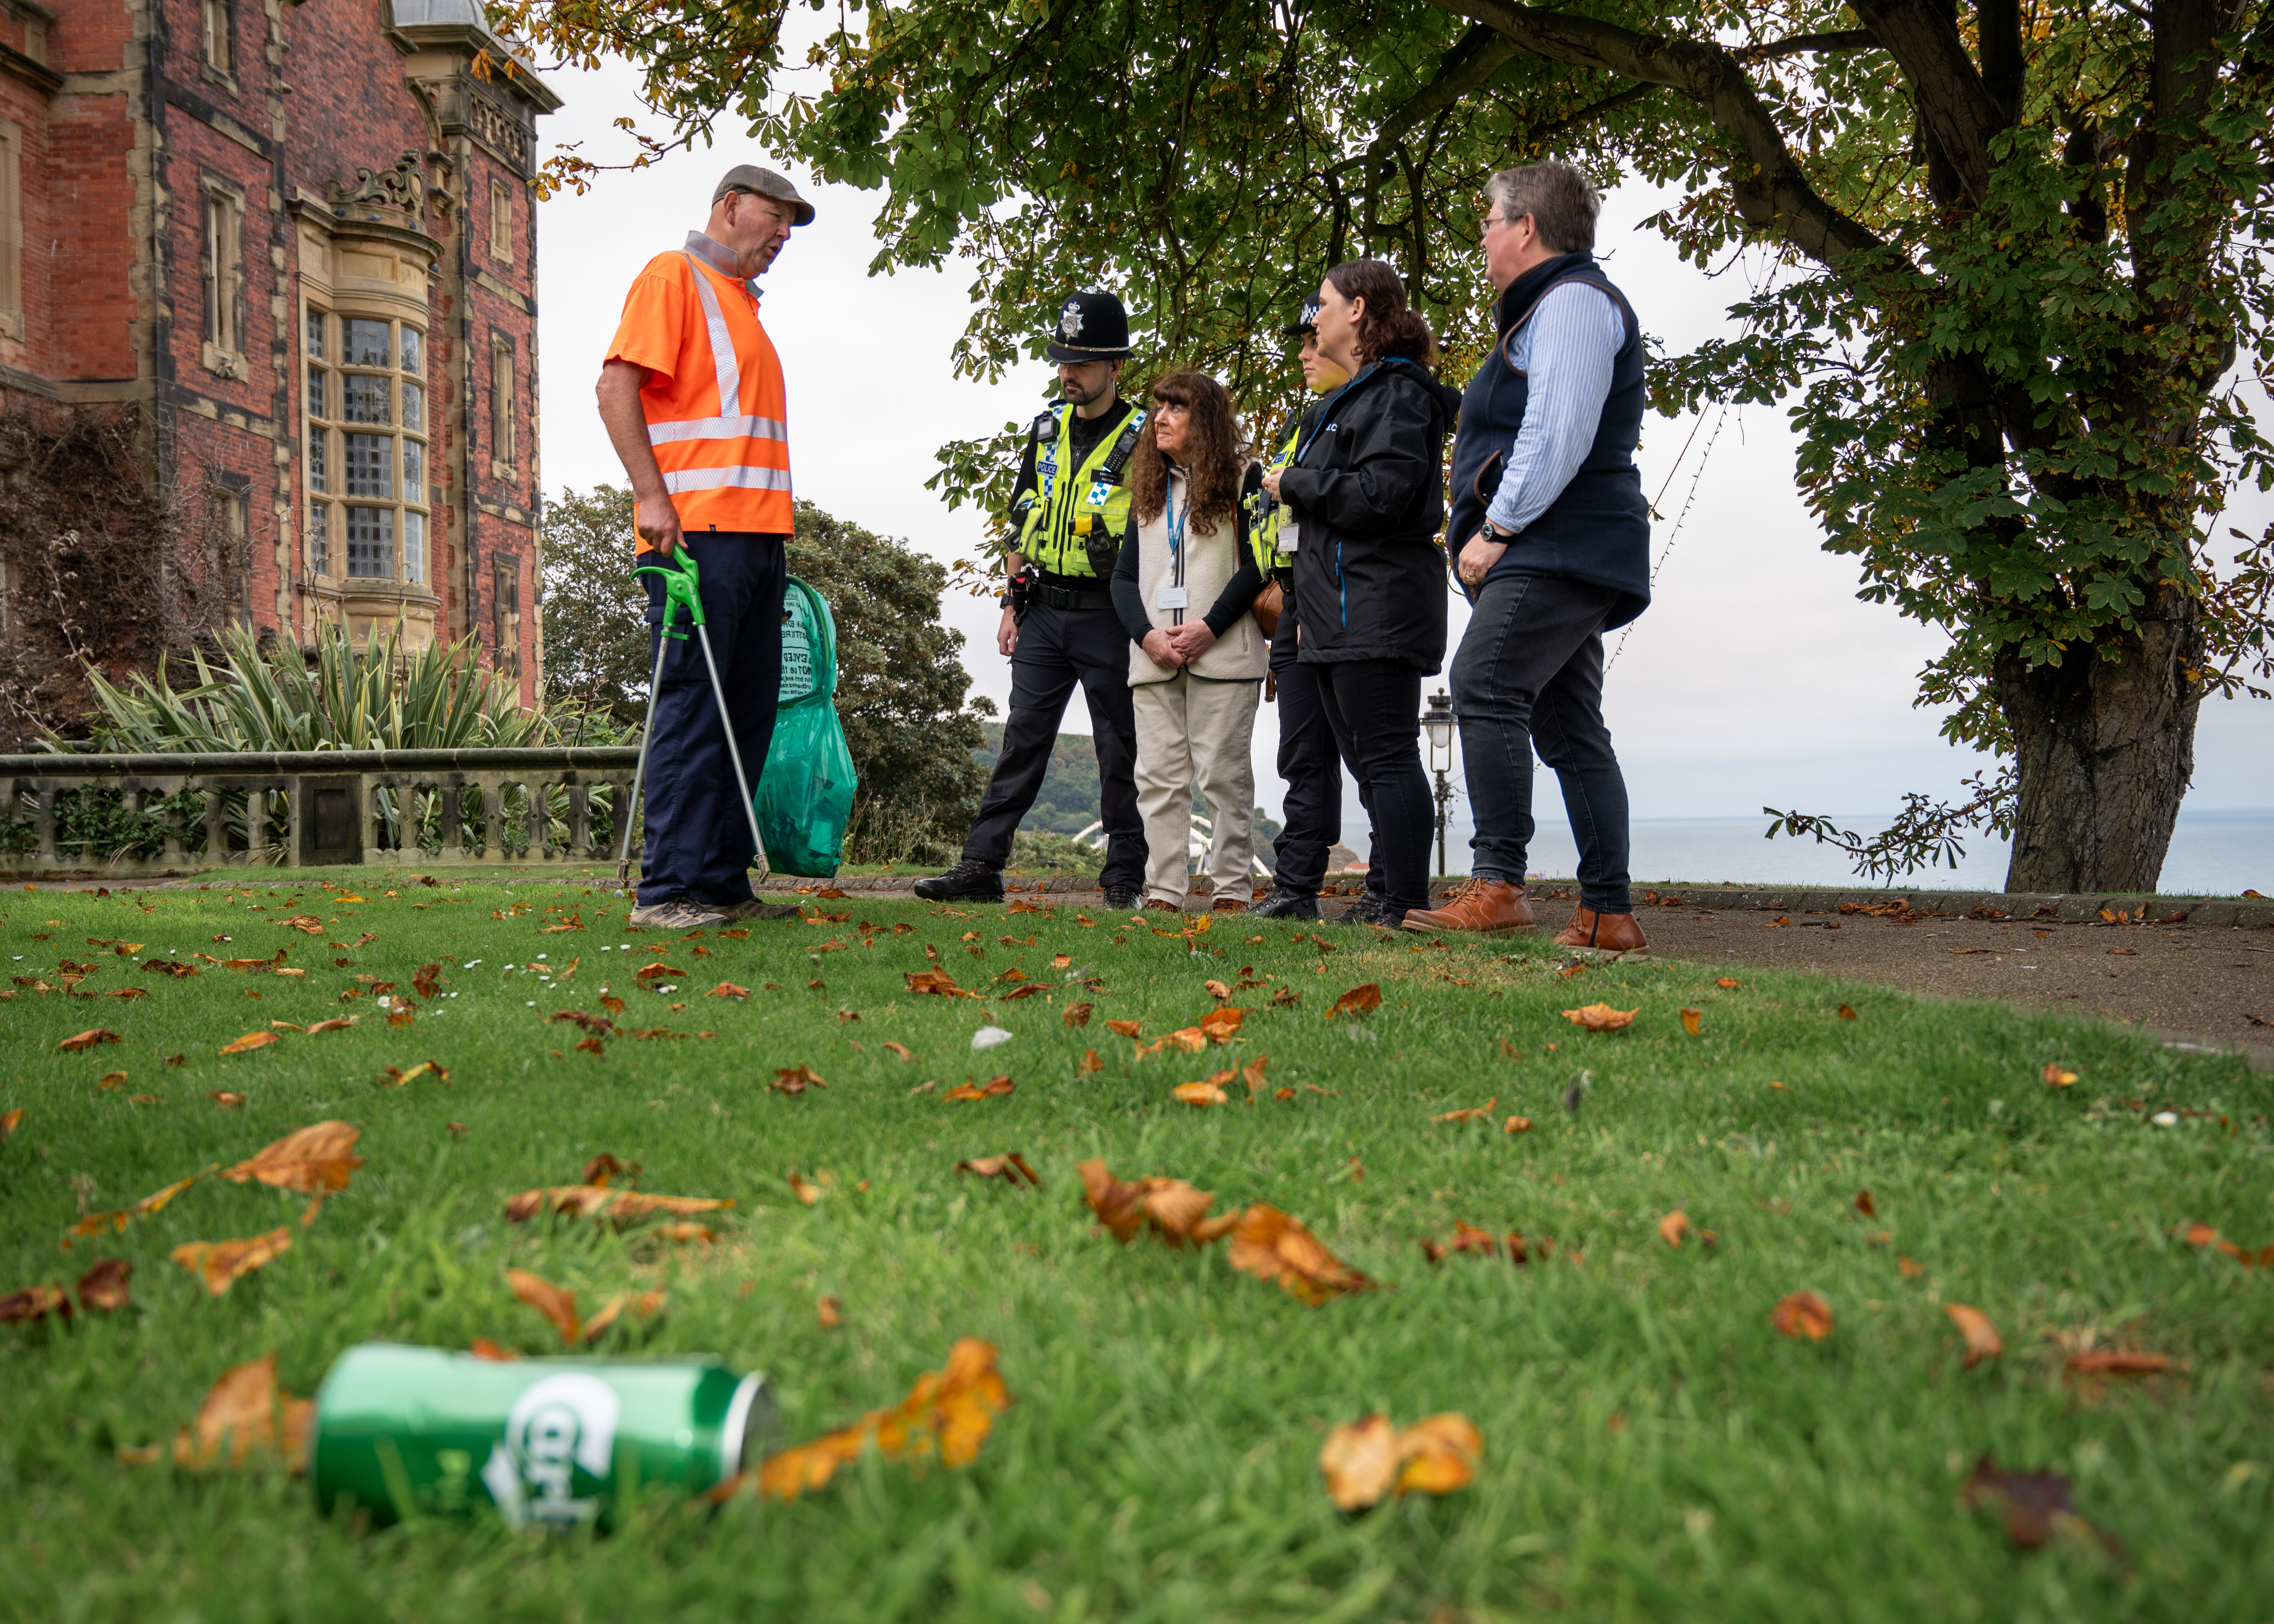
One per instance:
(1773,194)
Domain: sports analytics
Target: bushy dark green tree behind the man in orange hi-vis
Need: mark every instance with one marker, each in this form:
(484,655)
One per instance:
(902,688)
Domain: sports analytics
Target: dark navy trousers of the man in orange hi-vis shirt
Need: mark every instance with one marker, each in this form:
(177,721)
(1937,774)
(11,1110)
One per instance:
(699,831)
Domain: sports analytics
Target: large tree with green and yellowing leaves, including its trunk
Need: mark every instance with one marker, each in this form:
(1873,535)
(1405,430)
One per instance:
(2018,283)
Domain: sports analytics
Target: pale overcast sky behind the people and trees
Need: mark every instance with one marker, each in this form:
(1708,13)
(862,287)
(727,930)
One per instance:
(1757,679)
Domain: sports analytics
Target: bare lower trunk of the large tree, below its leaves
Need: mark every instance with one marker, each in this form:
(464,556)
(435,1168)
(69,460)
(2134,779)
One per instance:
(2105,752)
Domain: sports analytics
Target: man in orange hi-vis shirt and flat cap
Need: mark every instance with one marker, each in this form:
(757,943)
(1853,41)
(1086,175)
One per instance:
(695,404)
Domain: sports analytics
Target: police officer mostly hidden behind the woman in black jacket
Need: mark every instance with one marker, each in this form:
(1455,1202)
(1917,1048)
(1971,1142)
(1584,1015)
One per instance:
(1311,754)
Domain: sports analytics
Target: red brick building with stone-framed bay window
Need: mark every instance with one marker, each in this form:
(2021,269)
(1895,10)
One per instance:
(294,242)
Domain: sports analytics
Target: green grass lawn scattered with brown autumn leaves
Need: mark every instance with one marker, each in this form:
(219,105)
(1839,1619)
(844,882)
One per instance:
(1652,1445)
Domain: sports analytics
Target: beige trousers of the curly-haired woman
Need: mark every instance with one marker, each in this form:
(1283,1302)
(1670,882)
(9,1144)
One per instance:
(1195,734)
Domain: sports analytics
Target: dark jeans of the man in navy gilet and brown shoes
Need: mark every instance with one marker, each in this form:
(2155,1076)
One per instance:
(1532,674)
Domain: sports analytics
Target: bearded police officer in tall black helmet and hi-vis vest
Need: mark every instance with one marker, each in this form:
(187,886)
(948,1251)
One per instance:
(1059,618)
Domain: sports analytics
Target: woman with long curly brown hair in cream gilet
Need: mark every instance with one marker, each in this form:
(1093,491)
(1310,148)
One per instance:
(1186,590)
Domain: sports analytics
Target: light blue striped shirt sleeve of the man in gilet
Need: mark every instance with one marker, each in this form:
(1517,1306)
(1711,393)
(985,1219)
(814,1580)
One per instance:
(1566,351)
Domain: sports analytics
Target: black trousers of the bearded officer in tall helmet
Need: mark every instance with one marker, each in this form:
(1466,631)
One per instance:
(1056,652)
